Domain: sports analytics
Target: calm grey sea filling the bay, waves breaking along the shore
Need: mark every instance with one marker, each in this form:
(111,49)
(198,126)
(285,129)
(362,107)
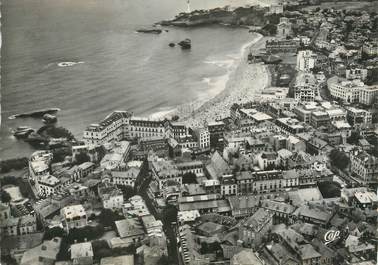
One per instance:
(118,69)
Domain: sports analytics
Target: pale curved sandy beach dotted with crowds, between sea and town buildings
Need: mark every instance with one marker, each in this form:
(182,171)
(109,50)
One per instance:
(244,83)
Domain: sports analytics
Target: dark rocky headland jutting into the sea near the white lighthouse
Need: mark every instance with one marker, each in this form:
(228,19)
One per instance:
(241,16)
